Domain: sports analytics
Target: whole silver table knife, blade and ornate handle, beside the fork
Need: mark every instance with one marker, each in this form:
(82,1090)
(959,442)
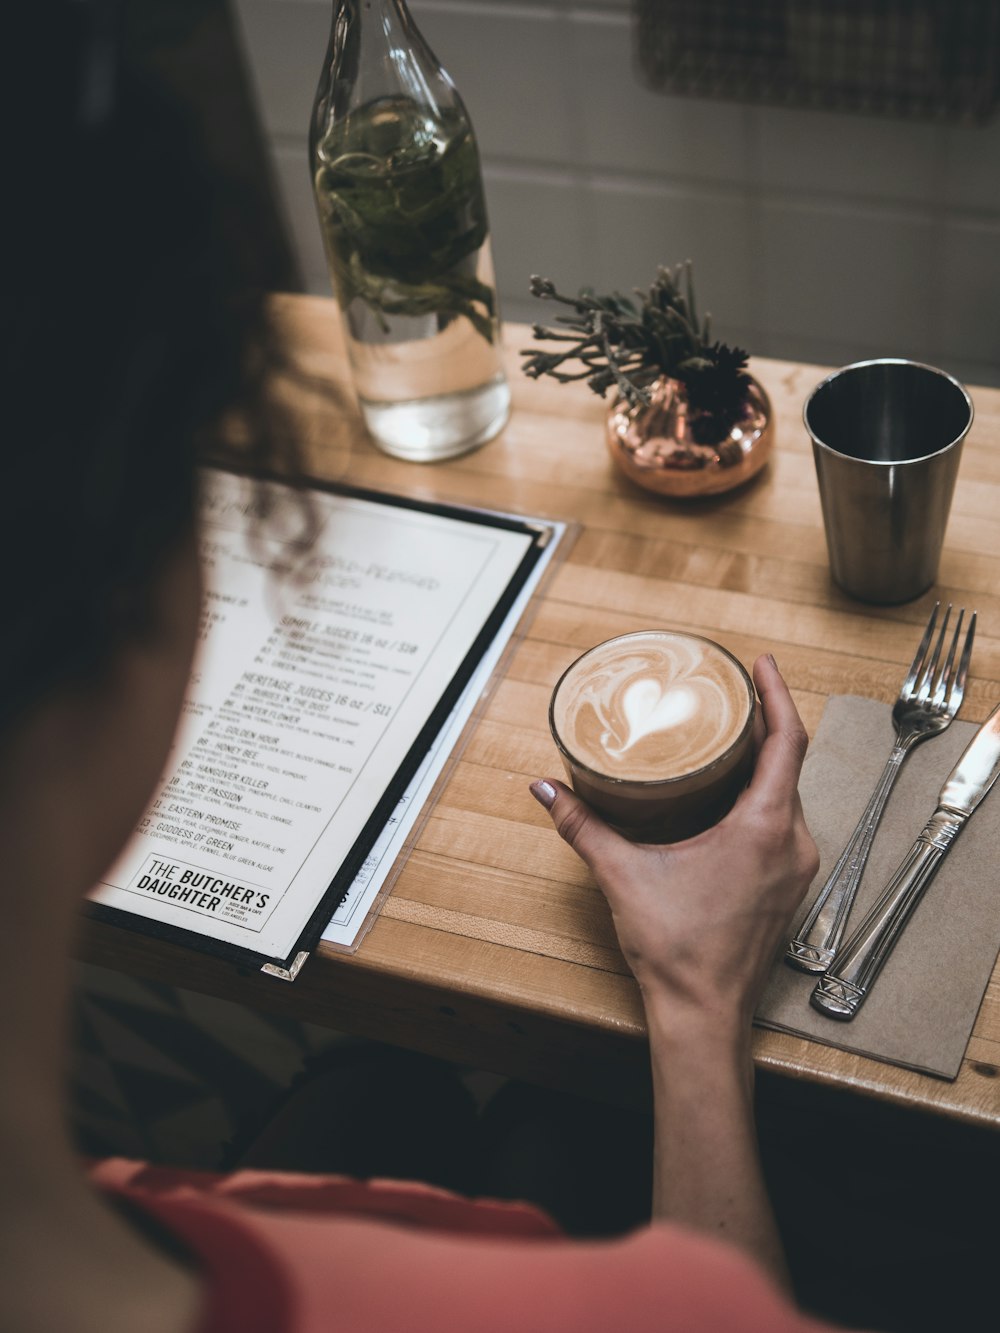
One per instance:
(851,975)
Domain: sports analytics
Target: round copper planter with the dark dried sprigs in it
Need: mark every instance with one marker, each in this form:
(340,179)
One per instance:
(689,418)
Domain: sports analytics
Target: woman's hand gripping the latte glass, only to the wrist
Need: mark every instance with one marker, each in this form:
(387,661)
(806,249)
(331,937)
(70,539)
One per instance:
(701,922)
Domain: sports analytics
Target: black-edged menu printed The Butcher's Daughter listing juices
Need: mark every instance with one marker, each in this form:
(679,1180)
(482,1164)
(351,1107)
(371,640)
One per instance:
(322,680)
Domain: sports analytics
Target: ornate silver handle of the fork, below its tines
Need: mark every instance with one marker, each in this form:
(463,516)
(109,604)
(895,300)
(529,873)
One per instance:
(817,943)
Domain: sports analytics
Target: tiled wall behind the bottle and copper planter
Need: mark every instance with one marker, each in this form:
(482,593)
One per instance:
(815,237)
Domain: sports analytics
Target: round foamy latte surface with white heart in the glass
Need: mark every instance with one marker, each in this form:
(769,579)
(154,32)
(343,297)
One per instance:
(651,706)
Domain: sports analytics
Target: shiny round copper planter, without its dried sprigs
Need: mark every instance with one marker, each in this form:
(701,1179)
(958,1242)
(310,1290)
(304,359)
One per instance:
(657,447)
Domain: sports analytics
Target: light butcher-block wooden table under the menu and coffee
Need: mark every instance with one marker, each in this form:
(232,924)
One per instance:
(495,950)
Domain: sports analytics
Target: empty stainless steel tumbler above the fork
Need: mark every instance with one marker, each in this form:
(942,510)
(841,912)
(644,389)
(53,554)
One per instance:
(887,439)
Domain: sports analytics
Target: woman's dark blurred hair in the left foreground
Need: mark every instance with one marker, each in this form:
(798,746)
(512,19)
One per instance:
(135,323)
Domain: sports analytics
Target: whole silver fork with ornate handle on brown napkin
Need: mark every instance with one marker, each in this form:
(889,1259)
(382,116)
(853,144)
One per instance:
(925,707)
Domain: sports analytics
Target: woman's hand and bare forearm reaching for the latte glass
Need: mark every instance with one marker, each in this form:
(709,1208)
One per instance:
(701,924)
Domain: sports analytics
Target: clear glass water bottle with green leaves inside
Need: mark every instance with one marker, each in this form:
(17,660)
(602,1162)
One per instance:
(399,193)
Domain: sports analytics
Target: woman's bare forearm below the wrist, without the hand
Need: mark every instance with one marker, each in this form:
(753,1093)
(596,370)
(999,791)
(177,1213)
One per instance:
(707,1167)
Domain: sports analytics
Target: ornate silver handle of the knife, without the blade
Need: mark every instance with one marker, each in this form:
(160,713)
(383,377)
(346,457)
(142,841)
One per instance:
(853,974)
